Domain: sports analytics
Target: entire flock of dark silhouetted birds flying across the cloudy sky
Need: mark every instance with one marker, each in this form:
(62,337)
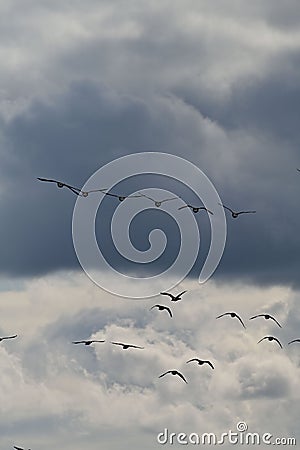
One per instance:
(173,298)
